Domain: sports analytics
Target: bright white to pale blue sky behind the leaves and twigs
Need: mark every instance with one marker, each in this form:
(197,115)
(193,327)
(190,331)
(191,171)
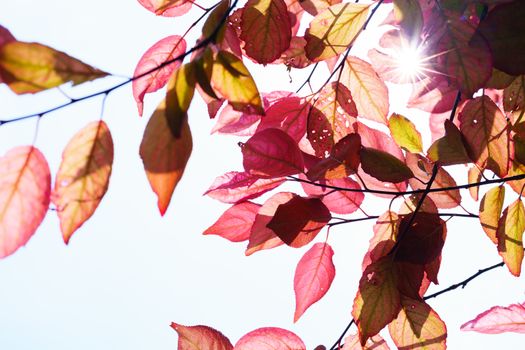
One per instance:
(128,273)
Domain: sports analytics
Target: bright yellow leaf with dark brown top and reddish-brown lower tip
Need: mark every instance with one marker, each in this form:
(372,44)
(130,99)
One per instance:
(232,81)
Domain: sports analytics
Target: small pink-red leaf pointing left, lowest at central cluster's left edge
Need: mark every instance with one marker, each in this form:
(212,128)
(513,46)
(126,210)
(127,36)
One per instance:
(235,223)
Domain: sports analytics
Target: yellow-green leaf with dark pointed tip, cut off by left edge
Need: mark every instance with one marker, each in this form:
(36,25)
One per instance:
(33,67)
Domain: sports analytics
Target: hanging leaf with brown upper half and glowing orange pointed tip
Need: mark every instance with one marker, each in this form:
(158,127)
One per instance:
(164,156)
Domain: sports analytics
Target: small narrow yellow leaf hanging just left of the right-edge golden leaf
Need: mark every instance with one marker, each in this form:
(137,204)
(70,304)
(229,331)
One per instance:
(490,210)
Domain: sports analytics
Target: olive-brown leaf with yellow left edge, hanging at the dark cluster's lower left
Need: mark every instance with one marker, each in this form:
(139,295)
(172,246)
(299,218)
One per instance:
(378,301)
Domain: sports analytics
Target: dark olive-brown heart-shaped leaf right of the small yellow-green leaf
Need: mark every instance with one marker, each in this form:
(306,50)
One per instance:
(449,149)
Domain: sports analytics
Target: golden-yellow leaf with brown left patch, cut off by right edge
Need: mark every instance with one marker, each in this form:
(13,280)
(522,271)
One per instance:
(510,236)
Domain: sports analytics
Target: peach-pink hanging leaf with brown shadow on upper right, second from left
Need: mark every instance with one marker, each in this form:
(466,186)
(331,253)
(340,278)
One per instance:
(83,177)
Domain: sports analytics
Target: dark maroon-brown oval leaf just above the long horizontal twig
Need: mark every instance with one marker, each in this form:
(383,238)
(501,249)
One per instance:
(384,166)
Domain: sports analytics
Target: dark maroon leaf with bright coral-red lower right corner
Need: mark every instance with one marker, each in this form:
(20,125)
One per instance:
(299,220)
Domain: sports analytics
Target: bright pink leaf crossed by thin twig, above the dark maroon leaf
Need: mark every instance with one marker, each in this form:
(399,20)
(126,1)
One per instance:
(339,202)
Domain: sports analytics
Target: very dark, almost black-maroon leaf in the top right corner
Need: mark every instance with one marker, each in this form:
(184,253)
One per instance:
(502,29)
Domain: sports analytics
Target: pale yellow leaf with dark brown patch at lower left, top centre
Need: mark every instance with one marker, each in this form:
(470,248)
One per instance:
(334,29)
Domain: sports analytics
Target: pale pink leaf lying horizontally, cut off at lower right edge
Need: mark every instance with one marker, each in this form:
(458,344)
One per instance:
(498,319)
